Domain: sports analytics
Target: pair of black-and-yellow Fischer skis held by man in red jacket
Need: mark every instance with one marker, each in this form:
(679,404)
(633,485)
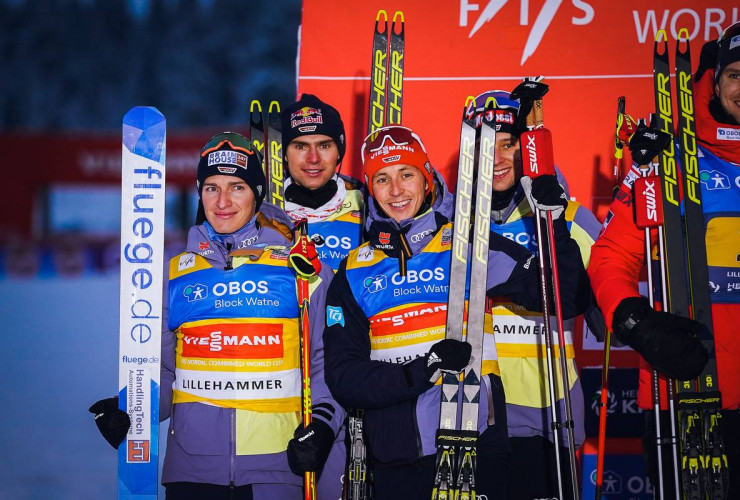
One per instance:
(703,462)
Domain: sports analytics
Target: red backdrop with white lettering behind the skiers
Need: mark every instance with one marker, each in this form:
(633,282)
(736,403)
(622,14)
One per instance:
(590,52)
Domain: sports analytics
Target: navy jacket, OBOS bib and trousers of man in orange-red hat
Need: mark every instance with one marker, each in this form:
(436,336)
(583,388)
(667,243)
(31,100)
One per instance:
(381,323)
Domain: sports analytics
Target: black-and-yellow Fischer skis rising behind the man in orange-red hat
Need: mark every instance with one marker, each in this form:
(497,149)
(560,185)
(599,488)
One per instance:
(385,107)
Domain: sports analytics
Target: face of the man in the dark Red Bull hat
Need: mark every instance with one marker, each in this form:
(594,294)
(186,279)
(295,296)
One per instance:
(312,160)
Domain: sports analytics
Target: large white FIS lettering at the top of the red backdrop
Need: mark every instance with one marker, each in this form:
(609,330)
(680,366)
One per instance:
(541,24)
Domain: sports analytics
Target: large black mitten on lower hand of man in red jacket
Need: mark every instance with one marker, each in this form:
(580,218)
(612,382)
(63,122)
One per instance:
(666,341)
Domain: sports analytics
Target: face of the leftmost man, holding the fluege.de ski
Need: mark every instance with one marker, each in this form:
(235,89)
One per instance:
(228,203)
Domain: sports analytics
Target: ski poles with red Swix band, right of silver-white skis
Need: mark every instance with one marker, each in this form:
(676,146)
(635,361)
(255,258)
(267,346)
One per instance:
(539,161)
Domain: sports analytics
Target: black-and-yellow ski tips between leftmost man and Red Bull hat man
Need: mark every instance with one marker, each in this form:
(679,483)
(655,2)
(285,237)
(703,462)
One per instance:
(268,139)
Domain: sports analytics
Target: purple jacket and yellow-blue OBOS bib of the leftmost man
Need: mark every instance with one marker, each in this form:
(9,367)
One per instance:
(230,354)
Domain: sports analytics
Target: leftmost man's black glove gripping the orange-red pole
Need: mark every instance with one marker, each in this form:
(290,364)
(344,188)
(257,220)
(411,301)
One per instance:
(310,447)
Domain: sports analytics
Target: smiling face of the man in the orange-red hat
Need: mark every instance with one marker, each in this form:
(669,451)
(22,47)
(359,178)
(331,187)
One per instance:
(399,190)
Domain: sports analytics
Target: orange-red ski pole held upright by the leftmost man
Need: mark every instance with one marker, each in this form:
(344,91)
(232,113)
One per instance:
(305,262)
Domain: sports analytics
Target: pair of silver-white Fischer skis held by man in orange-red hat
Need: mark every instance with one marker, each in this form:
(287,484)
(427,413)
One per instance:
(455,475)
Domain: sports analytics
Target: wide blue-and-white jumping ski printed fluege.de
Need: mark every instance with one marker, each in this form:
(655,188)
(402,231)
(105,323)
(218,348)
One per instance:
(142,257)
